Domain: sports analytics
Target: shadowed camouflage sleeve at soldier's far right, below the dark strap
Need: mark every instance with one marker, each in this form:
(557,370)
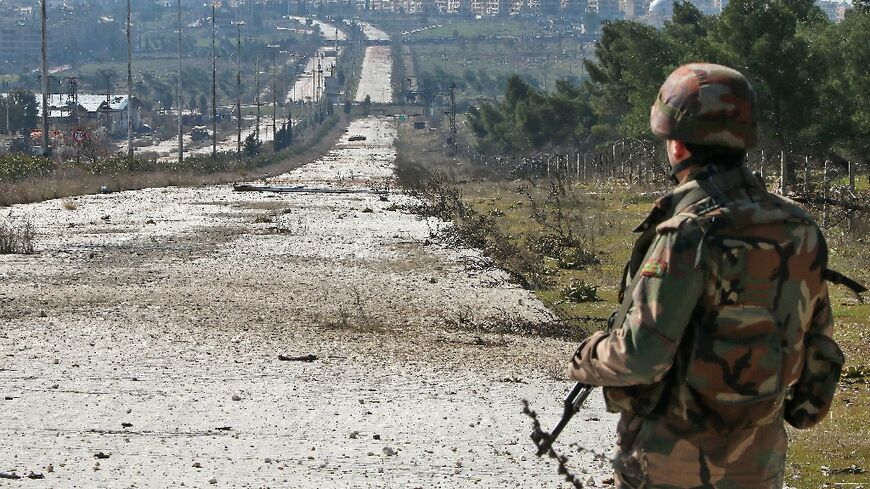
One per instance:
(811,397)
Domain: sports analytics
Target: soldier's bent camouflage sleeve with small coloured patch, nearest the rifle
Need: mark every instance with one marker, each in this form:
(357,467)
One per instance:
(642,350)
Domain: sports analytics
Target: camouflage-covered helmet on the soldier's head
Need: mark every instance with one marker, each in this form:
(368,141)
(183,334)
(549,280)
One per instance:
(704,103)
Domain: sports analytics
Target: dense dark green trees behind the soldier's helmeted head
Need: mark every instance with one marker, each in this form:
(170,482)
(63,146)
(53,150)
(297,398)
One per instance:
(809,73)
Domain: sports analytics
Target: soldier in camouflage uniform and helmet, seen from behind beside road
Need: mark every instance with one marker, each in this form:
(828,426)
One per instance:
(724,328)
